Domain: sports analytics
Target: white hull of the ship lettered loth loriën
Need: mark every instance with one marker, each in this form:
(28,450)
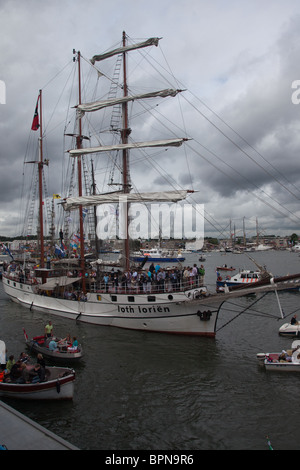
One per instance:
(168,312)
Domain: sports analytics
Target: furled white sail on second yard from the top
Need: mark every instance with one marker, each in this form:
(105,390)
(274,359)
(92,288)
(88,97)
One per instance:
(95,106)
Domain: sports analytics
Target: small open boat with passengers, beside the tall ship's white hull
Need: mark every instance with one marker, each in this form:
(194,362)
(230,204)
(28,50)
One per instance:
(64,351)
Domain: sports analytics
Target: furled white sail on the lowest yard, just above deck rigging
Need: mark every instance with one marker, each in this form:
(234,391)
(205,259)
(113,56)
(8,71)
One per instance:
(72,203)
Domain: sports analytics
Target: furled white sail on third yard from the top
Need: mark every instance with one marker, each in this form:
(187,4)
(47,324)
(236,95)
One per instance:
(132,145)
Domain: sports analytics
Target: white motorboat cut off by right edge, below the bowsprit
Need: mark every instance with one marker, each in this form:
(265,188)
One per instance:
(286,360)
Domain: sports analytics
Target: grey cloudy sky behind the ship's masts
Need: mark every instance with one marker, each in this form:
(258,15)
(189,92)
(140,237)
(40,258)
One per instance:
(237,60)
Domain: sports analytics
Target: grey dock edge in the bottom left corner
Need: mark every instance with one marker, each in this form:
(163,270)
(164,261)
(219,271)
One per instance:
(17,432)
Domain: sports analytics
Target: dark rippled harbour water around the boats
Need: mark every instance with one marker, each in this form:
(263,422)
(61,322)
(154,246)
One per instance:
(137,390)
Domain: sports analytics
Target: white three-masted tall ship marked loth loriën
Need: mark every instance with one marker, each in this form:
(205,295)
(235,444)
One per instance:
(123,294)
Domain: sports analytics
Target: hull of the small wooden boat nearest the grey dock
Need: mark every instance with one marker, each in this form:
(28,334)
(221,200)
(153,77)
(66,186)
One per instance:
(59,385)
